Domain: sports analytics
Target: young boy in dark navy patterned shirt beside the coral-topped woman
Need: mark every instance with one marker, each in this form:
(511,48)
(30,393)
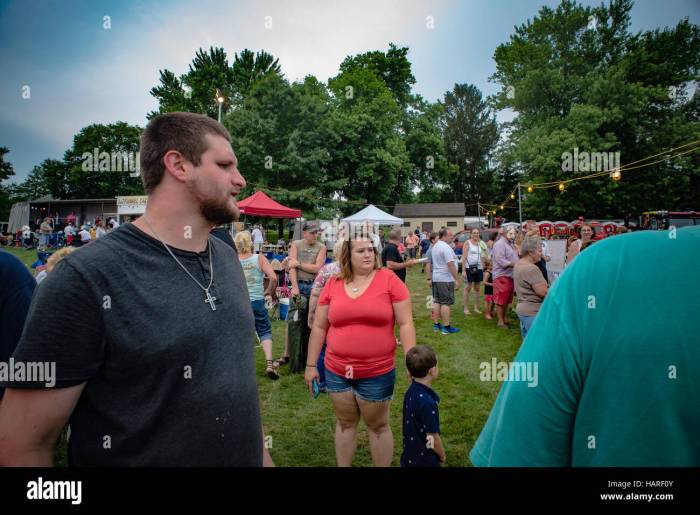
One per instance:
(422,446)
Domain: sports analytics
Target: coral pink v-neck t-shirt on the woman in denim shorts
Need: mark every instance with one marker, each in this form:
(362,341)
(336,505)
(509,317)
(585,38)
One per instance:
(360,338)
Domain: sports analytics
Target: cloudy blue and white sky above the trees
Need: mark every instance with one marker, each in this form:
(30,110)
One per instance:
(80,72)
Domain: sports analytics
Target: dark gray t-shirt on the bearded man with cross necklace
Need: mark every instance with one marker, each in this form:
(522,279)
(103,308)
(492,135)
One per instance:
(169,381)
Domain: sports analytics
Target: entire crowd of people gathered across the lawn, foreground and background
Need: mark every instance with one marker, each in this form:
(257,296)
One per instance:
(158,360)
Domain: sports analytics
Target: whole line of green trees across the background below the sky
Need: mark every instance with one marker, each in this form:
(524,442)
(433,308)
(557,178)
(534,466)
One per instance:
(575,77)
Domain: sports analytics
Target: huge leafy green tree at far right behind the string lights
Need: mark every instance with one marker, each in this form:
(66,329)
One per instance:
(577,78)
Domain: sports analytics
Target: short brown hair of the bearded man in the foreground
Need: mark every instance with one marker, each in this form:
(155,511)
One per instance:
(182,132)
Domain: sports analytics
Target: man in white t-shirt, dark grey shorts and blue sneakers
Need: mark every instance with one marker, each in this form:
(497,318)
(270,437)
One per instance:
(445,281)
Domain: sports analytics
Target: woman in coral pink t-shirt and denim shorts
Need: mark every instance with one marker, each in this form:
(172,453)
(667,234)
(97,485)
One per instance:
(356,315)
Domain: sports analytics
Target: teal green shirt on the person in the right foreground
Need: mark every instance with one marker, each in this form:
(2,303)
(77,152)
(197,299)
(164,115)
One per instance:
(617,347)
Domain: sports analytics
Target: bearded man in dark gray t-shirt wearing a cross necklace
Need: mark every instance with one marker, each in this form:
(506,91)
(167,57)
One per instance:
(149,328)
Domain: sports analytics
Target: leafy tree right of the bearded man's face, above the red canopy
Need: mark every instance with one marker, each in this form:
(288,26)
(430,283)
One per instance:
(281,135)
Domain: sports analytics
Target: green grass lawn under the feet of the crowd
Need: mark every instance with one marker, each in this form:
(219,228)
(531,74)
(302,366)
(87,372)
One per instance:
(302,428)
